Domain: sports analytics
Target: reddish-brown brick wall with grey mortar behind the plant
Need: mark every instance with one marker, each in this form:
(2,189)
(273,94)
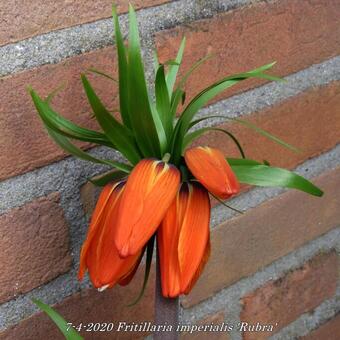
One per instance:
(277,264)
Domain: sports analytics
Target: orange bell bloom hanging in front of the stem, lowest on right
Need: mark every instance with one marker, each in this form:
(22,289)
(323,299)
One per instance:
(183,240)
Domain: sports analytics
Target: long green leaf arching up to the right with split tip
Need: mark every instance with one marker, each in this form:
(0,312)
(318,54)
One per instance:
(202,99)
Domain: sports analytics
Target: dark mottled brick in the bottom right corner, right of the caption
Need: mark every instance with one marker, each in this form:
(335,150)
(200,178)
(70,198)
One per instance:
(282,301)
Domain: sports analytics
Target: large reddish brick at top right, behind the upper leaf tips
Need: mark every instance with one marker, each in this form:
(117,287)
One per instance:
(296,34)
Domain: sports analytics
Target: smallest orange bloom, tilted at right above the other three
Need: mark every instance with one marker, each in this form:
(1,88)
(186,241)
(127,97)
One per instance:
(211,168)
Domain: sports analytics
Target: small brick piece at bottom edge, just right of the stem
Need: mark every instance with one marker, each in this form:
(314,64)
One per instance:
(216,319)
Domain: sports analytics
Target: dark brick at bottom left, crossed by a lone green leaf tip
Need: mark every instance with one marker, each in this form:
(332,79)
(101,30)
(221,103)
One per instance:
(92,306)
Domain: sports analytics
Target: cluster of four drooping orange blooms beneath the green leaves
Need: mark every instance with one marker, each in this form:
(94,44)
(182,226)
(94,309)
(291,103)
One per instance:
(152,200)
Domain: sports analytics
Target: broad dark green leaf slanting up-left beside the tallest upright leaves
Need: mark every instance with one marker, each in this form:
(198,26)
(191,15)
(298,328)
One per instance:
(117,133)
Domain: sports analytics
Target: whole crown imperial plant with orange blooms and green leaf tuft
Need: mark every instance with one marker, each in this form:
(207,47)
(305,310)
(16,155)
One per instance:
(162,190)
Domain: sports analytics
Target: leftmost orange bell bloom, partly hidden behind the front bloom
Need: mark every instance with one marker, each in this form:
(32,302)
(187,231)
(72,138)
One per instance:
(99,254)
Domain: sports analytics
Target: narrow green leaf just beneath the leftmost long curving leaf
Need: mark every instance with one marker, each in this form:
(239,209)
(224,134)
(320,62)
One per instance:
(66,145)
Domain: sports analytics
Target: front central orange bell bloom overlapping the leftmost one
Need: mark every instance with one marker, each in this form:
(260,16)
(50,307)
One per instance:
(149,191)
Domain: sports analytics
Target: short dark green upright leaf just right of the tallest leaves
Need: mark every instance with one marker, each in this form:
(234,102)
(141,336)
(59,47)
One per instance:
(163,101)
